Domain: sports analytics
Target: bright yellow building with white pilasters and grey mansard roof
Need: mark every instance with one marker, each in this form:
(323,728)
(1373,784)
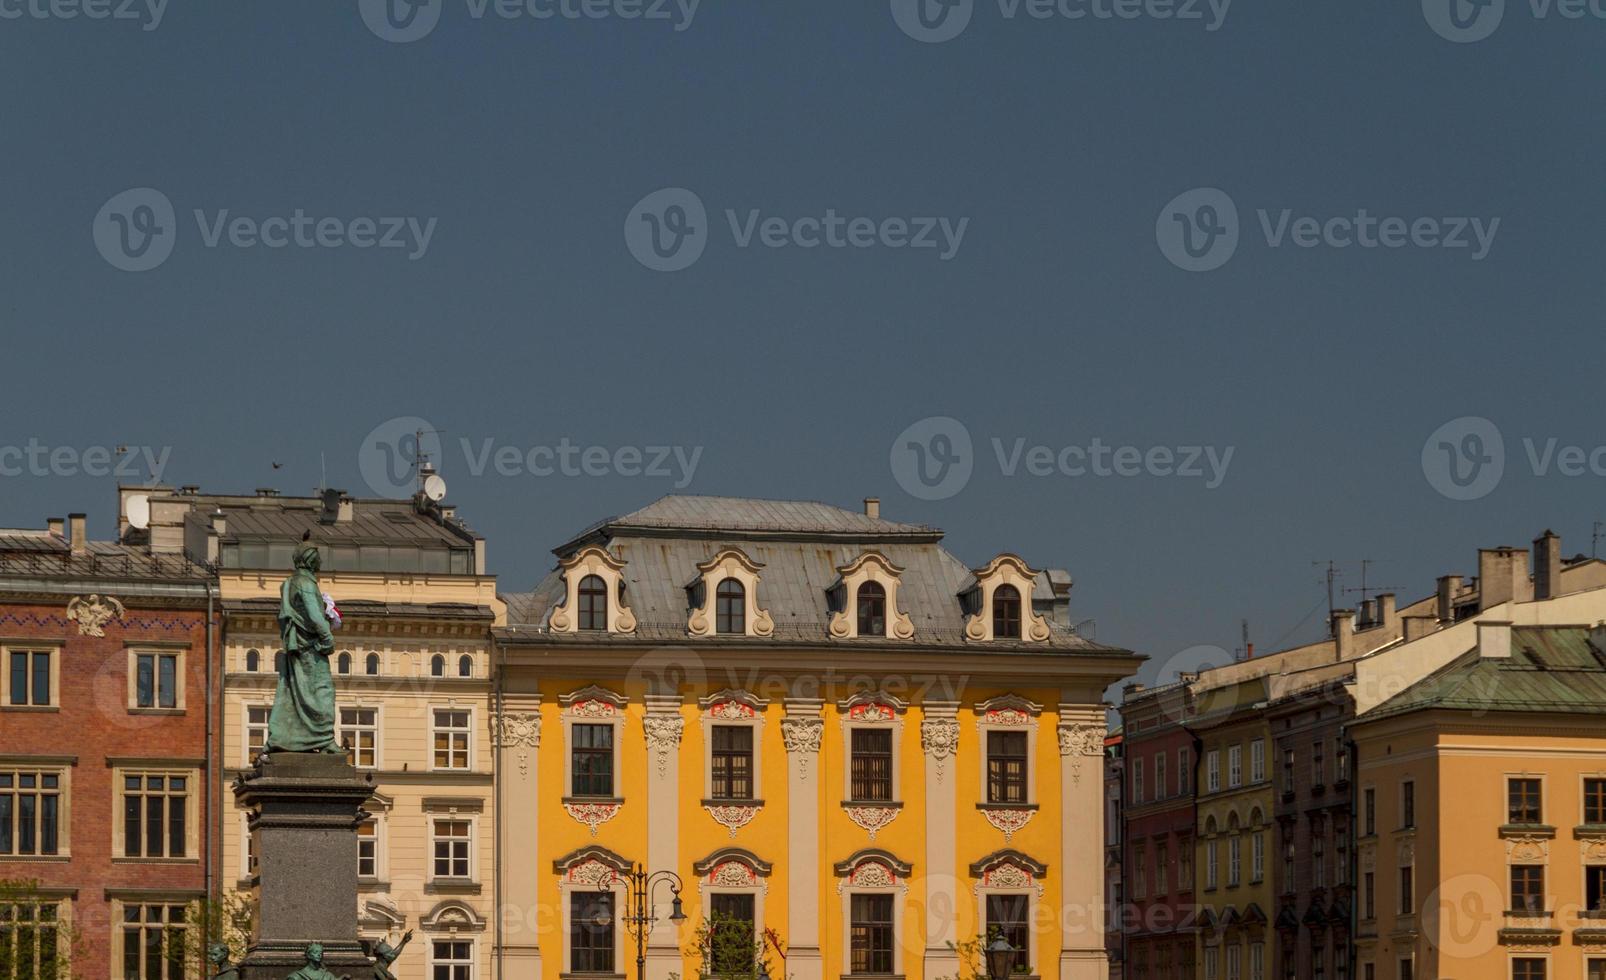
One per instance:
(826,725)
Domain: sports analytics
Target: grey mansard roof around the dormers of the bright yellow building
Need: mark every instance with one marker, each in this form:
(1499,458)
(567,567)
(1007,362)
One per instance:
(801,547)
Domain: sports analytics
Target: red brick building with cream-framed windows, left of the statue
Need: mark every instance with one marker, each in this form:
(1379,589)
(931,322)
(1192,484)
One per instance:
(107,798)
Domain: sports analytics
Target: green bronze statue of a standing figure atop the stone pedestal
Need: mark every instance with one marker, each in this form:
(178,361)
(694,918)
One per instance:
(303,717)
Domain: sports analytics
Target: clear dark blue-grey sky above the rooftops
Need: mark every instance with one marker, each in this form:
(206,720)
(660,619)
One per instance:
(1058,321)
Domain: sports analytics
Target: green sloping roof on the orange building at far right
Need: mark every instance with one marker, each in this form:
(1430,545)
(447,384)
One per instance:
(1551,669)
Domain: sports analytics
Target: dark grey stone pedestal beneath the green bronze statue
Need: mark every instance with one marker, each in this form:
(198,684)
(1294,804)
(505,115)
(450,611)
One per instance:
(304,814)
